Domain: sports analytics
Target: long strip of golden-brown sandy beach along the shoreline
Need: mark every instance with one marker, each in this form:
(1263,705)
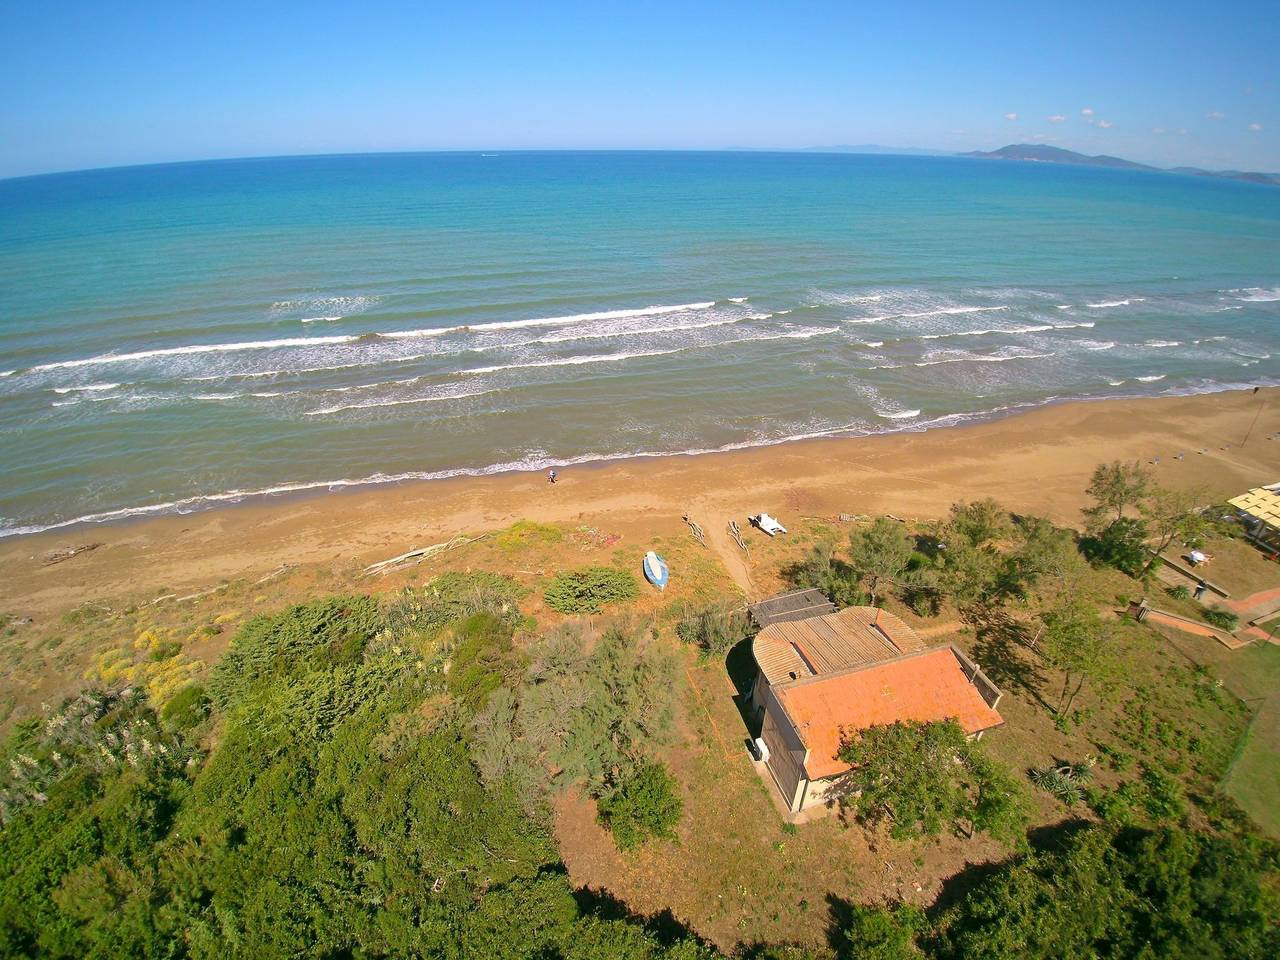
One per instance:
(1037,463)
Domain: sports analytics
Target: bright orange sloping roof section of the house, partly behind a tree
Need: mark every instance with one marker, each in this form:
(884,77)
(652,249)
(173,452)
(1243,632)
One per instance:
(930,687)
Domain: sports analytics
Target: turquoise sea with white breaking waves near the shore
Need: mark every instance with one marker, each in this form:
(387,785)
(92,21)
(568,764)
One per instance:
(181,336)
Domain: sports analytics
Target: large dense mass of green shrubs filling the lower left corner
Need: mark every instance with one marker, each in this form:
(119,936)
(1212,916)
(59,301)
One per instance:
(341,813)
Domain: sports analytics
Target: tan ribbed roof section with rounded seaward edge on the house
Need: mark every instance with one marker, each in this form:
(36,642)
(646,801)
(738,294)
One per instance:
(853,638)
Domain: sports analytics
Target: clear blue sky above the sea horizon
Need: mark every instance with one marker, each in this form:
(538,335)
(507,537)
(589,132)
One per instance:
(106,84)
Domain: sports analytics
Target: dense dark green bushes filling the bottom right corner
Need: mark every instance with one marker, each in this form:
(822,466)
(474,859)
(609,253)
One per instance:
(1117,894)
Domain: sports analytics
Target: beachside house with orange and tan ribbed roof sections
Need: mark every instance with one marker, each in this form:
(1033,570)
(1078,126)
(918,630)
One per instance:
(822,679)
